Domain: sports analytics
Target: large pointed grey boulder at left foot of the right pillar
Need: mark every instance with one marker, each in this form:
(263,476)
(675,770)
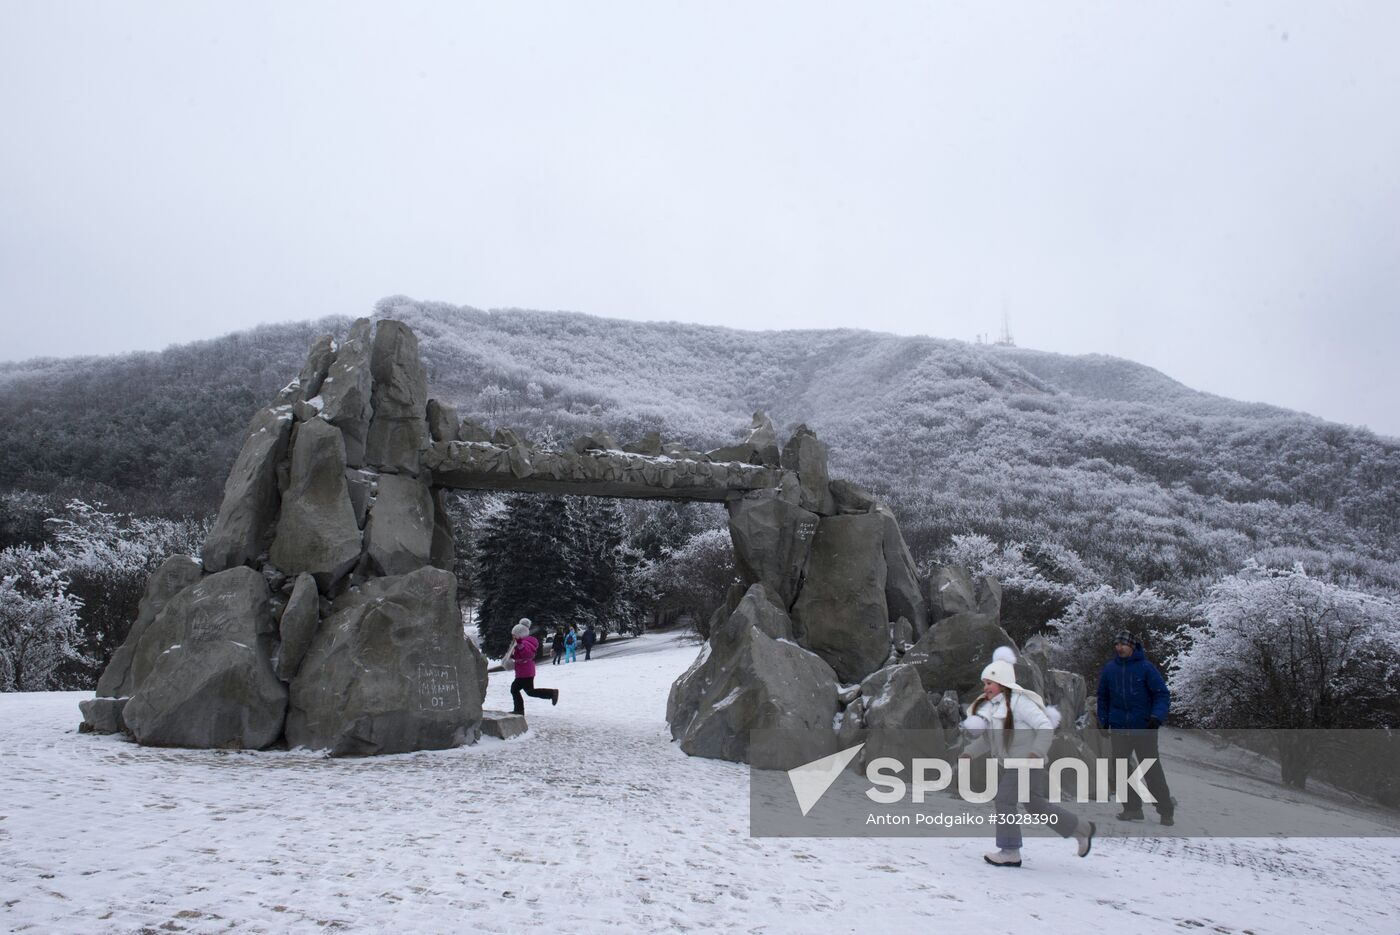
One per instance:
(754,678)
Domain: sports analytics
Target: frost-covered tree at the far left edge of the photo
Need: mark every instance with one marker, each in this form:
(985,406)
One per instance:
(38,621)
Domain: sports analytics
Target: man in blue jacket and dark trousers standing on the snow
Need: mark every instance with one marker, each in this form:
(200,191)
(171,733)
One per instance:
(1133,703)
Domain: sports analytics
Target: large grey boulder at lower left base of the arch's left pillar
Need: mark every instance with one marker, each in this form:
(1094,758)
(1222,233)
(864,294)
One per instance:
(215,687)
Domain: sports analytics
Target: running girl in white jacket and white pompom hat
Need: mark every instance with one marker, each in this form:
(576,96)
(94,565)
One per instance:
(1011,723)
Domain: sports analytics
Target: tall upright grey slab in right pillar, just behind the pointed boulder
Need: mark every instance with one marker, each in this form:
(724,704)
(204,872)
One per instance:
(841,614)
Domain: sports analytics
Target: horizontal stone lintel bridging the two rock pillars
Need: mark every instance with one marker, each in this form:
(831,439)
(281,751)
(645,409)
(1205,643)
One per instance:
(594,474)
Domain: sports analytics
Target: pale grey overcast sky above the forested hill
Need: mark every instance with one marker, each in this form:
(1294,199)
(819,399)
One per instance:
(1207,188)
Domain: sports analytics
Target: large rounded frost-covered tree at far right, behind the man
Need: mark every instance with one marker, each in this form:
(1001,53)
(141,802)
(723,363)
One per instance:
(1289,652)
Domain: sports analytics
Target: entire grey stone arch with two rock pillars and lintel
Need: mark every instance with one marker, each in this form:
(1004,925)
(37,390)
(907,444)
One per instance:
(323,612)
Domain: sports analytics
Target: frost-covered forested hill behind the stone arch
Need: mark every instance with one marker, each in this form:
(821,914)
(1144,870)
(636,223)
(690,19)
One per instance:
(1147,481)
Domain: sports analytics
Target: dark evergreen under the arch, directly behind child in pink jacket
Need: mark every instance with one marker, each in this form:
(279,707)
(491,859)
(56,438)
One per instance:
(528,566)
